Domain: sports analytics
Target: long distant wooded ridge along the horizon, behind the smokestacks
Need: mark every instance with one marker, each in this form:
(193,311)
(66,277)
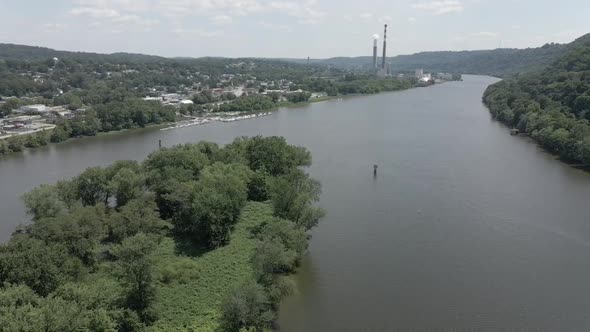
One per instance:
(500,62)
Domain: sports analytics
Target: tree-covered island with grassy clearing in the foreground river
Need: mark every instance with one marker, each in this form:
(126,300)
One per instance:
(197,237)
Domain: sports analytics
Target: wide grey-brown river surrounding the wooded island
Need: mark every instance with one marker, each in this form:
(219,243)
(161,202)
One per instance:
(465,228)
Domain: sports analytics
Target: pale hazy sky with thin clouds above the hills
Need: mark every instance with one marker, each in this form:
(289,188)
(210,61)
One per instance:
(289,28)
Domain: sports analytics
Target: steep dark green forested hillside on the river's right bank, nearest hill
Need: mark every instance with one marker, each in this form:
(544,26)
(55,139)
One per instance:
(552,105)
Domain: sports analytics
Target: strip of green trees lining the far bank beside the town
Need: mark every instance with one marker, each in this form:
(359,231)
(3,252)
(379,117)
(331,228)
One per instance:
(139,114)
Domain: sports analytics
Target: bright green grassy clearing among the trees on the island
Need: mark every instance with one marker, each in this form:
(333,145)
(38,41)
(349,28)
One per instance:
(192,288)
